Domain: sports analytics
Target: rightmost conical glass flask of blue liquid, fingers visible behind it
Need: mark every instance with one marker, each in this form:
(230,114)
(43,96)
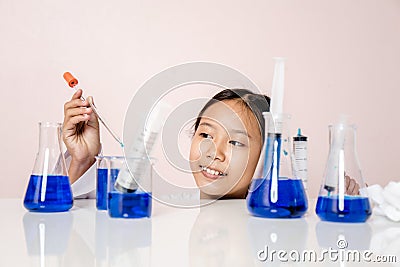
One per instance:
(343,196)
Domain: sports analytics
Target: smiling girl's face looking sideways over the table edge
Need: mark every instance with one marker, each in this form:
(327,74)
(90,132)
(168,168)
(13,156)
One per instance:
(225,150)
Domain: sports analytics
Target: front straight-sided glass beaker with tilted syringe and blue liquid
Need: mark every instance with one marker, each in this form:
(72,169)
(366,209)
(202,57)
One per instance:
(132,204)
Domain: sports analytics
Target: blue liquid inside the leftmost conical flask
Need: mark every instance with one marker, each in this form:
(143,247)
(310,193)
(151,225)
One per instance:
(57,195)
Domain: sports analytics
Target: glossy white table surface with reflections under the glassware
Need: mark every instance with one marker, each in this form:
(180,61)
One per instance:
(221,234)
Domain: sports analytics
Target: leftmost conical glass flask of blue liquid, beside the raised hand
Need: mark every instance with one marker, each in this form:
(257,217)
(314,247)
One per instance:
(49,189)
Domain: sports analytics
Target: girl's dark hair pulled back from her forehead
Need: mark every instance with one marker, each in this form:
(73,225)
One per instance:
(256,103)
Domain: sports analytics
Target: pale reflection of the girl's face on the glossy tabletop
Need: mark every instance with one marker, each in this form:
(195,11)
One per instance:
(217,237)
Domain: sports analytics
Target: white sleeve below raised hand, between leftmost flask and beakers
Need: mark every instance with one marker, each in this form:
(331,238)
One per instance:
(85,186)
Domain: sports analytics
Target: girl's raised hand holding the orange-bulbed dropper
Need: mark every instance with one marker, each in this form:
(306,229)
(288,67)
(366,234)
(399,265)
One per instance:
(80,134)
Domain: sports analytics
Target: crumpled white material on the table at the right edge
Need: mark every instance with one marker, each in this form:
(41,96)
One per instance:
(386,200)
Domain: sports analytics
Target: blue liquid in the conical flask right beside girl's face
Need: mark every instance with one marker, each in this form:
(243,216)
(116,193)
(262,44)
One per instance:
(291,203)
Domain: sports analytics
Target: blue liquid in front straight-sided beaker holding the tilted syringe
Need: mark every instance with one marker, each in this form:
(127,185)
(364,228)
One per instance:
(129,205)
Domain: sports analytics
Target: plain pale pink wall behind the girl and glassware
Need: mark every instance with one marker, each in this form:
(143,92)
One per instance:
(342,57)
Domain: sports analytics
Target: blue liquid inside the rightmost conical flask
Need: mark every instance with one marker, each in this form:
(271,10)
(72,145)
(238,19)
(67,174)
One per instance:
(356,209)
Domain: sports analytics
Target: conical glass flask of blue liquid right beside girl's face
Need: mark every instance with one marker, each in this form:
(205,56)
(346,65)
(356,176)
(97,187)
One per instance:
(275,192)
